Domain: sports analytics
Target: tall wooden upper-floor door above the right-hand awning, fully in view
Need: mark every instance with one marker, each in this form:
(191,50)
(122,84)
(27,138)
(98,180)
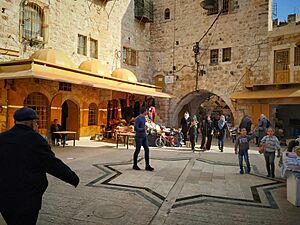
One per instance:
(281,66)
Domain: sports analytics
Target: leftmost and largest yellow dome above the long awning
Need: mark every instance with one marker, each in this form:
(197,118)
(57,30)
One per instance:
(53,56)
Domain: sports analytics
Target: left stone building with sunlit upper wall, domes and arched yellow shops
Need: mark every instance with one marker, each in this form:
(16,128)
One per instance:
(68,59)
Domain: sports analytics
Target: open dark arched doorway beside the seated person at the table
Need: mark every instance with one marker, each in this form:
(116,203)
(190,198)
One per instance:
(70,116)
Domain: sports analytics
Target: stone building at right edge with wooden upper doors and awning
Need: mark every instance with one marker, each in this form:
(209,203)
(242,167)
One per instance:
(278,95)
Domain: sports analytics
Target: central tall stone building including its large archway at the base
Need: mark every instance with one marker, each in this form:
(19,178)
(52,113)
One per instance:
(232,41)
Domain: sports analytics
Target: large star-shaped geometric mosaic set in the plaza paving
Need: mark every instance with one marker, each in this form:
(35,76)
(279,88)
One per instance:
(207,181)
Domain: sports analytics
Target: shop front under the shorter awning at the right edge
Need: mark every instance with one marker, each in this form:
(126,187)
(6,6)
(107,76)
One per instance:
(281,106)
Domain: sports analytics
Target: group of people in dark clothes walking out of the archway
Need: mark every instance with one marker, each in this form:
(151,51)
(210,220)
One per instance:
(207,128)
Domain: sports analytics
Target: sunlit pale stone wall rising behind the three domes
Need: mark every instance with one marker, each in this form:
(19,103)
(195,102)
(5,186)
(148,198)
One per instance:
(112,23)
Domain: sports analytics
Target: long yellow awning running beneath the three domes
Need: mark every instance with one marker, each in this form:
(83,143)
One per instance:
(44,70)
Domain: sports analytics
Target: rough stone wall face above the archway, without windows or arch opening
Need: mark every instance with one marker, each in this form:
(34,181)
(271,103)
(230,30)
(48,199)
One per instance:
(244,30)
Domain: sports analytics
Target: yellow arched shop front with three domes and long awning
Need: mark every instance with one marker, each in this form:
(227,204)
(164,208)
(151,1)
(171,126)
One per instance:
(83,99)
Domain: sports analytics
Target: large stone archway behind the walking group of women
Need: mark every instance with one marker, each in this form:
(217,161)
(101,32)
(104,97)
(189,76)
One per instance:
(201,102)
